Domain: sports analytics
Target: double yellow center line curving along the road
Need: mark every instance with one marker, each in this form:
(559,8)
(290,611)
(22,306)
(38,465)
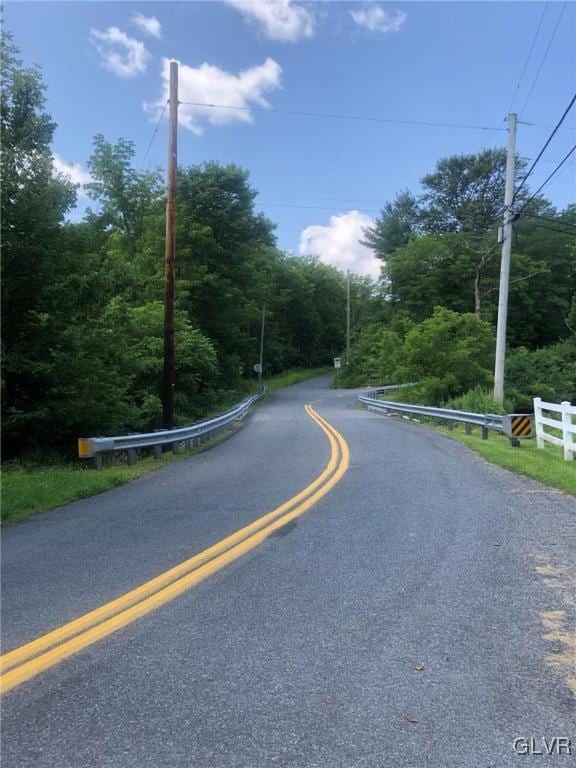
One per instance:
(29,660)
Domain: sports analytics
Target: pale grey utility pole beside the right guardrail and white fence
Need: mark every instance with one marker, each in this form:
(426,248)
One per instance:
(505,263)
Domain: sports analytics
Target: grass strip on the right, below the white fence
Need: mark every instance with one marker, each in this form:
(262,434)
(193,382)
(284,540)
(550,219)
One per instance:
(545,465)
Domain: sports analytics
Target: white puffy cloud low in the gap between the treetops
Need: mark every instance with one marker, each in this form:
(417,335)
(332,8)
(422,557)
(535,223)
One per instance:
(339,243)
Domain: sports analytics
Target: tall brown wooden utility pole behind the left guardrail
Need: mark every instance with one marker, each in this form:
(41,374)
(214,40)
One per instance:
(169,256)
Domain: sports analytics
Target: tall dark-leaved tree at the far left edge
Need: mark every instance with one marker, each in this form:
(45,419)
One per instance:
(34,203)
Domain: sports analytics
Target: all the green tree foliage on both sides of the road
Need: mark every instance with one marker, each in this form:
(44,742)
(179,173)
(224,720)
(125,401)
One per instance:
(82,302)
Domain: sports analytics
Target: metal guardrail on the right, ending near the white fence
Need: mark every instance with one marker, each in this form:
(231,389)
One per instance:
(485,421)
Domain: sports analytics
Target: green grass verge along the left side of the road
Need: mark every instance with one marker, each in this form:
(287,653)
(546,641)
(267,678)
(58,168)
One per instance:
(30,488)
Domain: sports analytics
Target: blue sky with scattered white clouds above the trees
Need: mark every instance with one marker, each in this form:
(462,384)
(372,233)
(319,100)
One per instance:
(321,180)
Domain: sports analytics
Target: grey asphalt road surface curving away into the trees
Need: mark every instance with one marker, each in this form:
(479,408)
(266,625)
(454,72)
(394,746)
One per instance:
(420,614)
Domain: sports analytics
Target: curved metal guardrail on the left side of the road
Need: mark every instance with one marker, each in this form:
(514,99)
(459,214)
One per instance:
(94,447)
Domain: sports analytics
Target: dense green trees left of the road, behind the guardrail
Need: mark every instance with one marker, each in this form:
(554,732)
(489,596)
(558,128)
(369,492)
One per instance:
(83,302)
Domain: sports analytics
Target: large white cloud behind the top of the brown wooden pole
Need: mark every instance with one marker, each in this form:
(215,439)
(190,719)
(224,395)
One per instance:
(208,84)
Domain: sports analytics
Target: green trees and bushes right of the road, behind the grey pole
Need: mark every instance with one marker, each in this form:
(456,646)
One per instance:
(440,274)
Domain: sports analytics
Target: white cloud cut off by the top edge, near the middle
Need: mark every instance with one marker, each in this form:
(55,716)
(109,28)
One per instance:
(280,19)
